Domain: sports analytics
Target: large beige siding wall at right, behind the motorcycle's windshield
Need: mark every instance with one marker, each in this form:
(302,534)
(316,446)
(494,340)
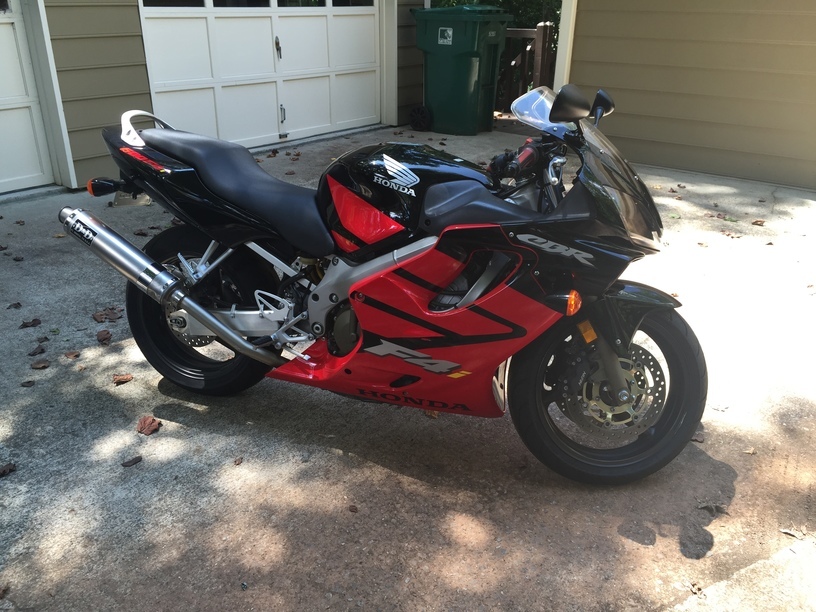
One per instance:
(727,87)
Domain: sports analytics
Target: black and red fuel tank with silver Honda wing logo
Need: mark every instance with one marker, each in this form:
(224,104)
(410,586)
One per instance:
(372,198)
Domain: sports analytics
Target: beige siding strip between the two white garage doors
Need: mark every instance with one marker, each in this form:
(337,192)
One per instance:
(101,69)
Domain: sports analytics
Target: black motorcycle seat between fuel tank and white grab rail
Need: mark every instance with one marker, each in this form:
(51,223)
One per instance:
(230,172)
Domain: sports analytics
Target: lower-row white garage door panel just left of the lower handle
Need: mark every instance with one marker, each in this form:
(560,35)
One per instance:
(248,114)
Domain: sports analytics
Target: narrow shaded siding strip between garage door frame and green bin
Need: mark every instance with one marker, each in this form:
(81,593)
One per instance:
(409,60)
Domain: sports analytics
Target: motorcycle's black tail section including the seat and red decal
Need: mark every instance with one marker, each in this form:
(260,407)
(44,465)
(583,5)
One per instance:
(218,187)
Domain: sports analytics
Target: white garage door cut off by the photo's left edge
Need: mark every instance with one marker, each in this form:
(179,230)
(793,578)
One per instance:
(24,159)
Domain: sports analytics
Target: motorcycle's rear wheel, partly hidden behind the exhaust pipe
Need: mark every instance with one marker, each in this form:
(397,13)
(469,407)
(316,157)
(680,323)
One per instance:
(198,363)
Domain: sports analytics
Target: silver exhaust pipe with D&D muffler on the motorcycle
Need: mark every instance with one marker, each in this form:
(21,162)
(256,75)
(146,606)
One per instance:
(152,278)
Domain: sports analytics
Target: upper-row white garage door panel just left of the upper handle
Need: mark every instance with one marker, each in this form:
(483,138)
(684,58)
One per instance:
(254,56)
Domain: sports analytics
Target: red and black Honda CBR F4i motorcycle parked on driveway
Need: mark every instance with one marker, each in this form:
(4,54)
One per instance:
(413,277)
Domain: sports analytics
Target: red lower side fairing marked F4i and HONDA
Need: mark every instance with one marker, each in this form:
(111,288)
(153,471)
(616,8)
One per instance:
(412,356)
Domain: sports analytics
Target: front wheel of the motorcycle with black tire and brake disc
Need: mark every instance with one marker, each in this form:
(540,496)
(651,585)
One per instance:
(580,433)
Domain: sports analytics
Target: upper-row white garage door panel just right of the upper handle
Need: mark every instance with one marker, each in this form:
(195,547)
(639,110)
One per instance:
(304,43)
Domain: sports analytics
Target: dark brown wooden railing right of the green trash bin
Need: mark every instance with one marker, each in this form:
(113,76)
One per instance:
(528,61)
